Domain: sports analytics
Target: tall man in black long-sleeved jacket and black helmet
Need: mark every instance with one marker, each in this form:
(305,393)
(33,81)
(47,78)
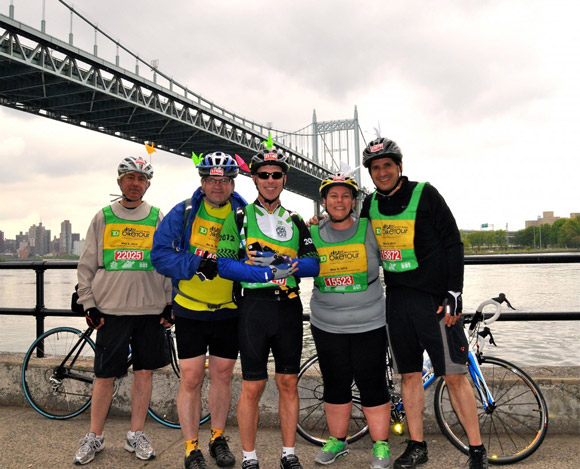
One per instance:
(422,256)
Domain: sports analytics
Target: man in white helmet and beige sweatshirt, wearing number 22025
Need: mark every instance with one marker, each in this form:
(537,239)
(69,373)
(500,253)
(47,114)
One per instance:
(129,304)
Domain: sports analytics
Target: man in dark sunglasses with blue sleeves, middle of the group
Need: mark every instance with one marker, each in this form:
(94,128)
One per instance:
(266,248)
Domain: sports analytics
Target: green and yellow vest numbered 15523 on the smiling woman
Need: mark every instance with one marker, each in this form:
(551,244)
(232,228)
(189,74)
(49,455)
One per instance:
(343,265)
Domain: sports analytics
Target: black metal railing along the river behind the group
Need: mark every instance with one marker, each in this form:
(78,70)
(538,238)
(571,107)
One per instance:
(41,312)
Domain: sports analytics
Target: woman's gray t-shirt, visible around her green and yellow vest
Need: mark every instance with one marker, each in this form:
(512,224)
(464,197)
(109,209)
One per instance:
(355,312)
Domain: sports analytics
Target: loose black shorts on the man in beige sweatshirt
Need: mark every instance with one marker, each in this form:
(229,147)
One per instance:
(144,336)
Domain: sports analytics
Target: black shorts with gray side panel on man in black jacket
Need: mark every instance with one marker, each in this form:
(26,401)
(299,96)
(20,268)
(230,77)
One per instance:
(414,326)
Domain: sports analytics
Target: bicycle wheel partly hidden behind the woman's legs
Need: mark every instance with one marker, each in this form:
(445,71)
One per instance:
(312,425)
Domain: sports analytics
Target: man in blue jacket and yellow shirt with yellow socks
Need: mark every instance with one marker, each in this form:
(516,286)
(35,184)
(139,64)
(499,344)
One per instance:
(206,315)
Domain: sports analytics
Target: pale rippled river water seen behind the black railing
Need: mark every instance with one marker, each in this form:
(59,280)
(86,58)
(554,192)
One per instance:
(530,288)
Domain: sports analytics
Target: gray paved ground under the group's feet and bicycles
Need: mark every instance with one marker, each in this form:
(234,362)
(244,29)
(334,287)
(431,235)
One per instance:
(28,440)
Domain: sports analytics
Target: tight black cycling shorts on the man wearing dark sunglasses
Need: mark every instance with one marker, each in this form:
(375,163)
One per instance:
(269,324)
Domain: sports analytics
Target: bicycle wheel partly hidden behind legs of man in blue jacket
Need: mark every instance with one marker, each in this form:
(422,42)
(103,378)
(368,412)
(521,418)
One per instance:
(165,384)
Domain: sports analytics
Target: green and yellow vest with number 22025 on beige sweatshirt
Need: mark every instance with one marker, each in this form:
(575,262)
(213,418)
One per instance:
(127,243)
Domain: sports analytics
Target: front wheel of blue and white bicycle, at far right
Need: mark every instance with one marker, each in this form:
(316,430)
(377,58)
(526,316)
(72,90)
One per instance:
(513,428)
